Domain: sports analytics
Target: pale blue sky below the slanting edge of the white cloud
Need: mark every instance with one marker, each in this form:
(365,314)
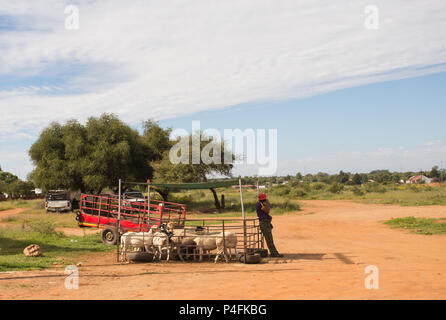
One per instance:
(407,113)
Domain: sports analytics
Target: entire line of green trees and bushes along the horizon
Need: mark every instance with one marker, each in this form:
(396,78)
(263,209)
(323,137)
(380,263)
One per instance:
(91,157)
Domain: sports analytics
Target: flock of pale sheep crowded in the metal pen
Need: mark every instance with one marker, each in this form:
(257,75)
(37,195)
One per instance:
(167,238)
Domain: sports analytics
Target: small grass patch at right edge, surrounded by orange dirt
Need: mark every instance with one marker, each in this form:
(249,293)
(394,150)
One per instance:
(419,225)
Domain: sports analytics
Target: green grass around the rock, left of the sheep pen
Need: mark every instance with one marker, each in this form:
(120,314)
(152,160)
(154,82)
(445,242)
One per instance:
(56,248)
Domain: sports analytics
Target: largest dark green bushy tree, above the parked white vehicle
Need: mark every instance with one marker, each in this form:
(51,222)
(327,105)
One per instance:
(90,157)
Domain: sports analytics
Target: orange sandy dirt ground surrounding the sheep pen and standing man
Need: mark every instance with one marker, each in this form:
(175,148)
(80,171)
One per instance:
(326,252)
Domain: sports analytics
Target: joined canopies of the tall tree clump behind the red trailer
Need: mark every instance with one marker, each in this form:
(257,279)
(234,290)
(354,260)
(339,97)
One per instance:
(92,157)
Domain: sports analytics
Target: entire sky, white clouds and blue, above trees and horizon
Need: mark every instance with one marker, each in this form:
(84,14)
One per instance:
(342,96)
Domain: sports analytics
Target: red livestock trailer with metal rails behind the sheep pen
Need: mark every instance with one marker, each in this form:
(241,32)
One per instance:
(102,211)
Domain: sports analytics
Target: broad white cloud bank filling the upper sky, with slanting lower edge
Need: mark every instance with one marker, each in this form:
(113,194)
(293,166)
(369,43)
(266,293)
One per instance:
(168,58)
